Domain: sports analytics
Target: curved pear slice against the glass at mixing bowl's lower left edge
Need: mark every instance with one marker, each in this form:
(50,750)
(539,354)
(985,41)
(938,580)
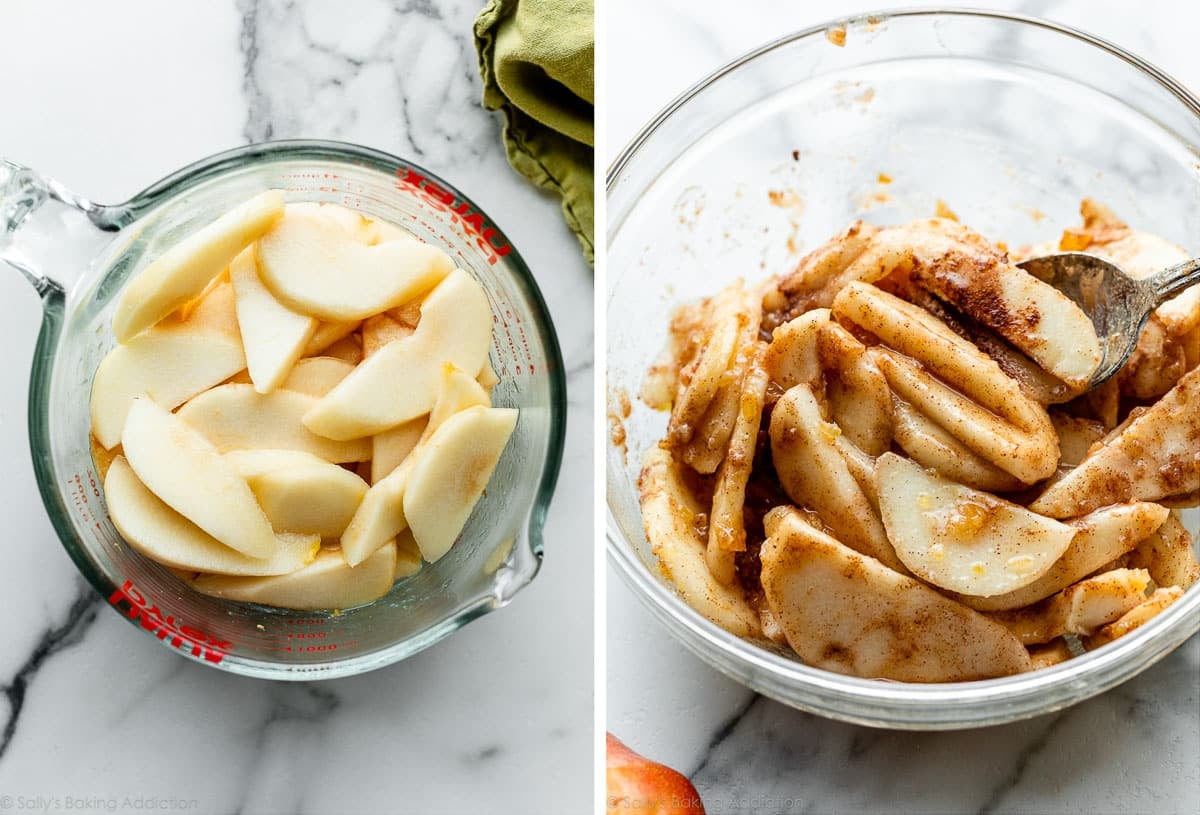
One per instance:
(671,516)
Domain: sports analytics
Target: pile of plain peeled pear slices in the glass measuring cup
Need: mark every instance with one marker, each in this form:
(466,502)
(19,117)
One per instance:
(298,410)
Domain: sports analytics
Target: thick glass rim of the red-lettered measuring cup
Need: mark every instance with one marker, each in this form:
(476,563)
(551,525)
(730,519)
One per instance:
(116,218)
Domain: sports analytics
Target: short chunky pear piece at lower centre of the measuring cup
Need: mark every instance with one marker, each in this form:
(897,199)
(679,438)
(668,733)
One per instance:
(301,493)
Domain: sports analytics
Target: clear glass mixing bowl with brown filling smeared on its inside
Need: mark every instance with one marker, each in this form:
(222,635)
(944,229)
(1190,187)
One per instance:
(1011,122)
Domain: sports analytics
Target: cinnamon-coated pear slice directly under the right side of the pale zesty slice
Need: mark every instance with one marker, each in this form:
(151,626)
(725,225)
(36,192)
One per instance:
(1101,538)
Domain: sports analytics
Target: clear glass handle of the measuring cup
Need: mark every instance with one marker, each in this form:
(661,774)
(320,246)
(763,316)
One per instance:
(35,239)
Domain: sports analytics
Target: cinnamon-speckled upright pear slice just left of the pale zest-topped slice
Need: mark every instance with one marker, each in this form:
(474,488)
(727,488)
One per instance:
(814,475)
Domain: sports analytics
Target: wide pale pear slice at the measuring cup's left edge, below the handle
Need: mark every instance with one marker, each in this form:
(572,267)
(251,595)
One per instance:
(170,364)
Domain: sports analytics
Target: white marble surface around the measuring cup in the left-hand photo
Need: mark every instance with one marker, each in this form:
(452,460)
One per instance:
(97,717)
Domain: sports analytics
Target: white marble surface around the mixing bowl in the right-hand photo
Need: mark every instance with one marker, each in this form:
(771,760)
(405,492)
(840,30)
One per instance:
(1136,750)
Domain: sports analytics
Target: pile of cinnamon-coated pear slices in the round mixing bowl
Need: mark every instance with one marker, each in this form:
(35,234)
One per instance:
(889,460)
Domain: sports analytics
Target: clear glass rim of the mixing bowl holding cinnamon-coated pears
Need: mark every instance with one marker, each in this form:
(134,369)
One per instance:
(887,704)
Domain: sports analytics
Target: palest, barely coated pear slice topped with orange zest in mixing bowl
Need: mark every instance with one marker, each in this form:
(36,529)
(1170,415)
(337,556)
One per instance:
(962,540)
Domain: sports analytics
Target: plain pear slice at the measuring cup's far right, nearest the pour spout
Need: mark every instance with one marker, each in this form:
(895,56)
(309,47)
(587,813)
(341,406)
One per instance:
(451,475)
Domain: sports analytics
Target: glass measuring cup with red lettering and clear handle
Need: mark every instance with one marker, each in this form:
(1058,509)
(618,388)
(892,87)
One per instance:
(79,255)
